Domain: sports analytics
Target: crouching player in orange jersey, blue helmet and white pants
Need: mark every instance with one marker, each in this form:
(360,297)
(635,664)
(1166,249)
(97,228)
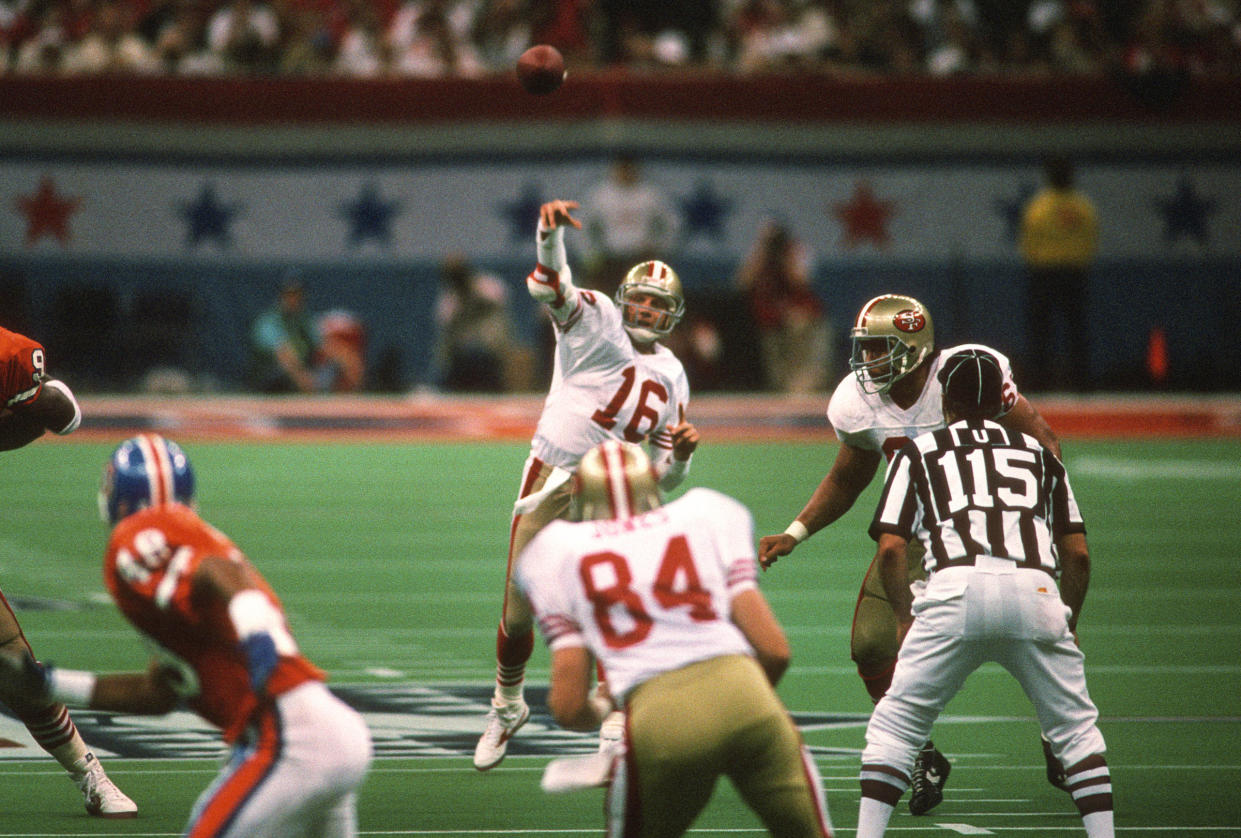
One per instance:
(222,644)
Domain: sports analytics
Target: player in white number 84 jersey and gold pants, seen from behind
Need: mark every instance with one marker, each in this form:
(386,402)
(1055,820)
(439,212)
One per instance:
(667,599)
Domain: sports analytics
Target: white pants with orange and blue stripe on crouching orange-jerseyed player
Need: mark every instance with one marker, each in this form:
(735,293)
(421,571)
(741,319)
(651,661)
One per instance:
(296,774)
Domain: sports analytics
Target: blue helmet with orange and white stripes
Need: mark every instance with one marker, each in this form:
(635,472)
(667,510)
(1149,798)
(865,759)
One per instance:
(145,471)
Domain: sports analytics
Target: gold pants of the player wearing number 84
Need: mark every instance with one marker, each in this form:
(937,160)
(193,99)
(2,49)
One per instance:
(715,718)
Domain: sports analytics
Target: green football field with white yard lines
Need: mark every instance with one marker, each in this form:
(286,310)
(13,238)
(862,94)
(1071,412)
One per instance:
(390,561)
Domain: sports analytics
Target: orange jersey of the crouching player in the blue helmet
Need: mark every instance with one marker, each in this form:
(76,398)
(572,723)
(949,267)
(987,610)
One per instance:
(148,569)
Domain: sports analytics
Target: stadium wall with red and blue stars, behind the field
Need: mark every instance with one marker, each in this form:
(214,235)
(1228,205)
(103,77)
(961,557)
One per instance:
(167,210)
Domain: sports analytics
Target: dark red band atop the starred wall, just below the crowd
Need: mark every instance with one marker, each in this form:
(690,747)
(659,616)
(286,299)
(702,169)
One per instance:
(797,99)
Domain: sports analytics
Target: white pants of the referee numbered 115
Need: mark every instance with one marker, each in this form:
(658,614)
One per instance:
(966,618)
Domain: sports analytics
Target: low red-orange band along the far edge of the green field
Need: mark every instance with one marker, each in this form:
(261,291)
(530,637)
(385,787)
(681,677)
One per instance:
(720,418)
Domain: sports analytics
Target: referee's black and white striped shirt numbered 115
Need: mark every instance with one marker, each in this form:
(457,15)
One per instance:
(979,490)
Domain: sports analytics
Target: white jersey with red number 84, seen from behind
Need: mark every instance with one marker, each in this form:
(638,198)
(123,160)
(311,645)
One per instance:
(648,594)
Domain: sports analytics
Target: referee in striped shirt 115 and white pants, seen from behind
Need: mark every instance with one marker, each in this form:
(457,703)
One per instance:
(1000,525)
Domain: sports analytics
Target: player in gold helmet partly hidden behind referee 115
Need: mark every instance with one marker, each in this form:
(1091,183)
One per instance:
(892,398)
